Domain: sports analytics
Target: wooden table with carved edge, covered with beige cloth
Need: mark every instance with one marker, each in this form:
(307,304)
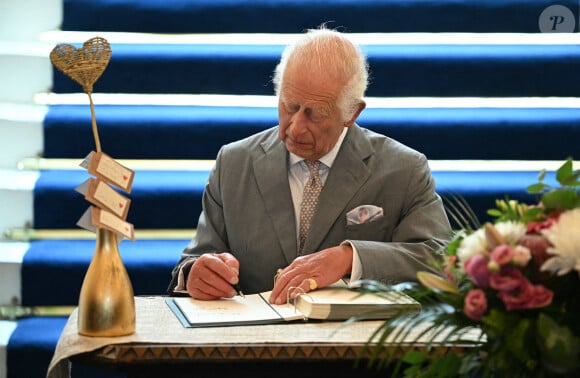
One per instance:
(162,347)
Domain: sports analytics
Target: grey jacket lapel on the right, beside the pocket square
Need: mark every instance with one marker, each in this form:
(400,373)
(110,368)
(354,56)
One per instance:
(348,173)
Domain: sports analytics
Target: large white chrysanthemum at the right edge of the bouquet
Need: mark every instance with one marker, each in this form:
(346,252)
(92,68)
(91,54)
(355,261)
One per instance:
(564,235)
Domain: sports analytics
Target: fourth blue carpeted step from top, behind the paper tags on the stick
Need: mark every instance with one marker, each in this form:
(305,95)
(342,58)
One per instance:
(172,200)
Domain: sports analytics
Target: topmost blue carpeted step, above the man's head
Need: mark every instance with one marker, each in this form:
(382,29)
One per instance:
(292,16)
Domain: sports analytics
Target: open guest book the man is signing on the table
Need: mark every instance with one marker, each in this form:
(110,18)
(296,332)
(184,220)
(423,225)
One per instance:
(336,302)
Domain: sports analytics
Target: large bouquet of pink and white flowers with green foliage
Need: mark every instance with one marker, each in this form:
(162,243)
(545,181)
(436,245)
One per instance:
(514,280)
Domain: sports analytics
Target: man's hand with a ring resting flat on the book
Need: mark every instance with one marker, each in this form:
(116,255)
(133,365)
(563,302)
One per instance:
(324,267)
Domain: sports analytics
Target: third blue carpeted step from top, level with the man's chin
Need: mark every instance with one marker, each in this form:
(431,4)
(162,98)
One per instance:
(197,132)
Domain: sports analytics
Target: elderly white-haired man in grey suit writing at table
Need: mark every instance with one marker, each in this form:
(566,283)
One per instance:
(316,198)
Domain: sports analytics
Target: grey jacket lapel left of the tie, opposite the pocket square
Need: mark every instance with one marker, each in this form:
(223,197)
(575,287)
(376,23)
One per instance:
(271,170)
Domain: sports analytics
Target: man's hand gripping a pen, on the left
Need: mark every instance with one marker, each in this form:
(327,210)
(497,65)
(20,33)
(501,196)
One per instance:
(212,276)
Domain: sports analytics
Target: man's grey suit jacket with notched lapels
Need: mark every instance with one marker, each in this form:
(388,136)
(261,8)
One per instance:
(248,210)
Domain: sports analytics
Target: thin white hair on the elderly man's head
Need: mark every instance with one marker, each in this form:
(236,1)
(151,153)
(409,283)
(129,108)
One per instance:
(333,52)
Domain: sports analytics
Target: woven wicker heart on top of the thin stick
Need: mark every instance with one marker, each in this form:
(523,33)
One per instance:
(84,65)
